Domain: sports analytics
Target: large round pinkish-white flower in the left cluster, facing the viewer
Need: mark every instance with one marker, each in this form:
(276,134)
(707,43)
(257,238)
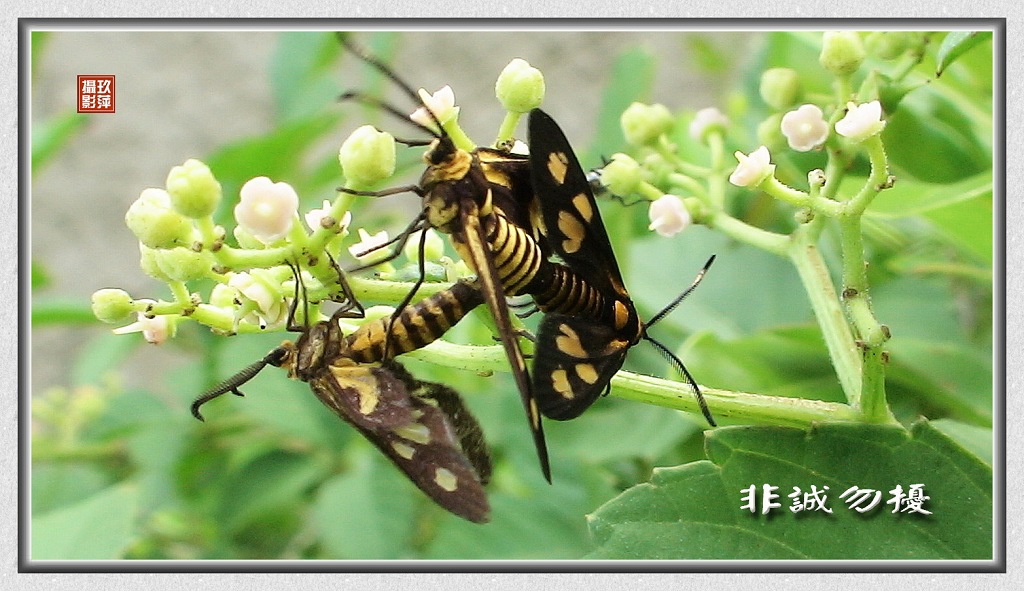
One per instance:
(267,209)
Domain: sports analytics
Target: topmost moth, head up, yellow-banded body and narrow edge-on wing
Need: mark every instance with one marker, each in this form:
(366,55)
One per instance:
(481,199)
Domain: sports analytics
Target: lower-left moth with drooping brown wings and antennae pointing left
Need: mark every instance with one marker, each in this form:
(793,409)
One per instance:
(423,428)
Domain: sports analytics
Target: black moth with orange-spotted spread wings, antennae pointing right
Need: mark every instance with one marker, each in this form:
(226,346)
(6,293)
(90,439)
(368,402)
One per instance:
(578,354)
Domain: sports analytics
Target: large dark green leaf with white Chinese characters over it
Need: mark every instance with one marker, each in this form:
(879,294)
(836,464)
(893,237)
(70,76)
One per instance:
(696,512)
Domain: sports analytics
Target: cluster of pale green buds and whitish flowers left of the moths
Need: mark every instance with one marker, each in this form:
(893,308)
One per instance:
(181,243)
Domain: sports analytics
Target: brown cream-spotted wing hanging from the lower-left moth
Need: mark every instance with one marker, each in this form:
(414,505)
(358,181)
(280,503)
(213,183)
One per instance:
(422,428)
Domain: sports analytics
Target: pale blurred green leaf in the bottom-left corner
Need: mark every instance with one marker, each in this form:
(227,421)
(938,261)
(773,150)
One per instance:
(99,528)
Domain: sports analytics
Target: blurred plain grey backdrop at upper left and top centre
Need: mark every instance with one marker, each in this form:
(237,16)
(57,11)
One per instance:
(182,95)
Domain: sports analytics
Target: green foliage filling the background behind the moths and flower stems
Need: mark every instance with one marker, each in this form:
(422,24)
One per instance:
(126,474)
